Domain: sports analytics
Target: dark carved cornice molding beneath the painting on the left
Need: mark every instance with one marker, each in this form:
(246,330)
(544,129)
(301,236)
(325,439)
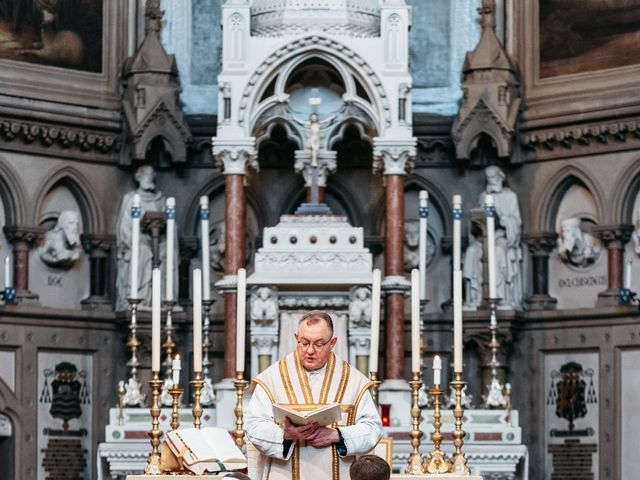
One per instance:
(50,136)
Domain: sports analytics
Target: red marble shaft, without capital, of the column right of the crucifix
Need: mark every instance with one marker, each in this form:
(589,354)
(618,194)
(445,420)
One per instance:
(394,265)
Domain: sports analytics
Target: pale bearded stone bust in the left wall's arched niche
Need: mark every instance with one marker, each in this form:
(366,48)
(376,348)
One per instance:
(61,246)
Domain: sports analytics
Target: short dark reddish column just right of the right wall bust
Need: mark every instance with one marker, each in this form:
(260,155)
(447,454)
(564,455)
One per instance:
(614,238)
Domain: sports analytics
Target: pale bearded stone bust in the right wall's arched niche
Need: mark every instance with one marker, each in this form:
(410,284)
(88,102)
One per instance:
(575,246)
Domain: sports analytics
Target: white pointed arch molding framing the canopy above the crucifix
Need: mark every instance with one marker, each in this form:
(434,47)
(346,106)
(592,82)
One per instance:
(296,47)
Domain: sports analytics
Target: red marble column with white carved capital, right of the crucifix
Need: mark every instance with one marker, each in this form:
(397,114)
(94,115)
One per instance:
(394,159)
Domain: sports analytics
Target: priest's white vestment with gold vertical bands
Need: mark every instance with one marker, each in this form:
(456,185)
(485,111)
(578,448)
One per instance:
(287,382)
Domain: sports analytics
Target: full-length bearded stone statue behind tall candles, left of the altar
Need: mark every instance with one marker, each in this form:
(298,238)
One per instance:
(151,200)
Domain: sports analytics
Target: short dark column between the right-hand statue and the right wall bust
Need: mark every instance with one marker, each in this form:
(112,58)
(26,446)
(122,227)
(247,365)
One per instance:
(540,246)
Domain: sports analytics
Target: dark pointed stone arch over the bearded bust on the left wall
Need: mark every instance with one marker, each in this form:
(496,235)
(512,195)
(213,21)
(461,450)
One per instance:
(82,190)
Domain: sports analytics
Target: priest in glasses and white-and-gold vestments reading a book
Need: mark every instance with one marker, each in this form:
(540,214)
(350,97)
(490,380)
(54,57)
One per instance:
(308,378)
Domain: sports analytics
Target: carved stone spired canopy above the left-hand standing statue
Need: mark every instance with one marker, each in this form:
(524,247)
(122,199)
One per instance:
(151,99)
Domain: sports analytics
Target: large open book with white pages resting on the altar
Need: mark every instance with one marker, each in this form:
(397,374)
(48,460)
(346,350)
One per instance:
(203,450)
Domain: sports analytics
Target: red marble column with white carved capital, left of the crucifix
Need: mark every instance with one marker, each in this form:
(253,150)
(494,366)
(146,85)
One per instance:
(234,159)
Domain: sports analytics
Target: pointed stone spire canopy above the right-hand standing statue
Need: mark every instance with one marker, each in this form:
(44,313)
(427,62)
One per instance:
(491,99)
